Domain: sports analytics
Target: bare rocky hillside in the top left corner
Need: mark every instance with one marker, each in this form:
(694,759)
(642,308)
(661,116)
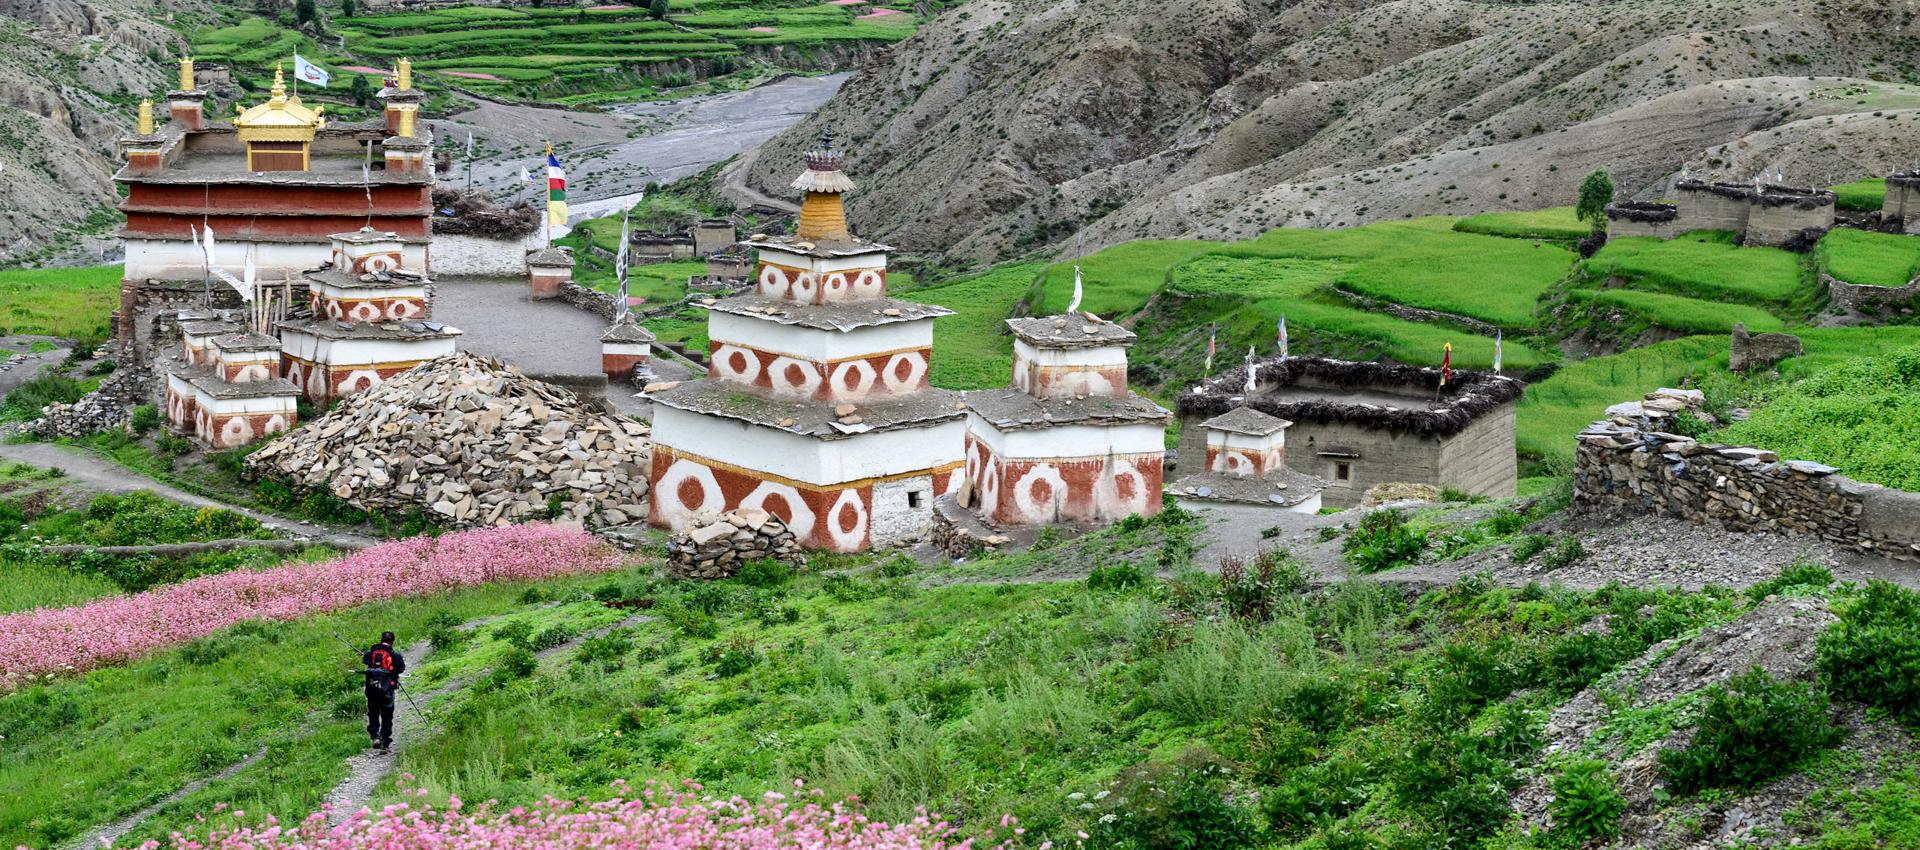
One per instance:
(72,74)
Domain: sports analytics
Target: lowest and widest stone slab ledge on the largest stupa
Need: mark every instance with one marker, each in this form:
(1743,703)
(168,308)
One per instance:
(811,419)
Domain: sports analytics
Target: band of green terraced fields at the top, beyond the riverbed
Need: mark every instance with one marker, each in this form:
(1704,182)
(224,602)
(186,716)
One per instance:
(560,53)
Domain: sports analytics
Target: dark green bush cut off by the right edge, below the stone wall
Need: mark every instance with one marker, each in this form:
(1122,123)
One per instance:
(1873,653)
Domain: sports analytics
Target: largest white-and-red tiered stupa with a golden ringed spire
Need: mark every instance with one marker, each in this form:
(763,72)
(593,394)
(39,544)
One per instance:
(817,404)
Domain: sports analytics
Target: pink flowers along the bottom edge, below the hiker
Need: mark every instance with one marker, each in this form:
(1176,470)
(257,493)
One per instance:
(652,820)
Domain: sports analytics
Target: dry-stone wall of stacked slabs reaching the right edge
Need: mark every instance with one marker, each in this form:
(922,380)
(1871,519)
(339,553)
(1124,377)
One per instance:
(1629,463)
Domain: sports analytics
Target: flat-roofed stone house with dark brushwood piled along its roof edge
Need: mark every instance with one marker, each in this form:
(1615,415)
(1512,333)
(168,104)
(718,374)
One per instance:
(1360,425)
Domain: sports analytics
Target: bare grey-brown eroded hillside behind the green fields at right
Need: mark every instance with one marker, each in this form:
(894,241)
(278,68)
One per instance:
(1013,124)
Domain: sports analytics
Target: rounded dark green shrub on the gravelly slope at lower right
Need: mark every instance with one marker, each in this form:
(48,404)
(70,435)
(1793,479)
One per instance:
(1752,730)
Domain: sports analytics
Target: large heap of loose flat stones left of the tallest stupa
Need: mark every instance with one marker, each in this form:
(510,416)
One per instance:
(475,444)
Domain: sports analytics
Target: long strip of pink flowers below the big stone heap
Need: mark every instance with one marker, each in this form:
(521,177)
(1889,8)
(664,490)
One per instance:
(116,630)
